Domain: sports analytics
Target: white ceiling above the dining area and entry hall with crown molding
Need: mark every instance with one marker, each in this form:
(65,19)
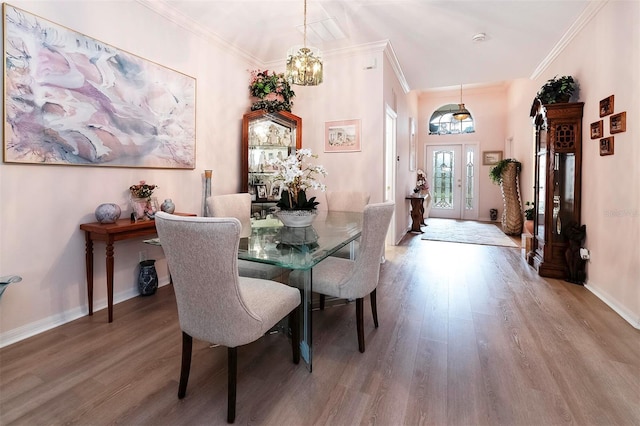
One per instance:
(432,40)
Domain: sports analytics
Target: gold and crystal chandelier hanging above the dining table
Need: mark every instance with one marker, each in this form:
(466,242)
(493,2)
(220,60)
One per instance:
(304,63)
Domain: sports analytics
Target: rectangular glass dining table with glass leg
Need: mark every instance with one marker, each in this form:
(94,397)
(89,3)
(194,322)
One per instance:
(301,249)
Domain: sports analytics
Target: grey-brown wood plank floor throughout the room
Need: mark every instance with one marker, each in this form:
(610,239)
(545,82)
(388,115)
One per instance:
(469,335)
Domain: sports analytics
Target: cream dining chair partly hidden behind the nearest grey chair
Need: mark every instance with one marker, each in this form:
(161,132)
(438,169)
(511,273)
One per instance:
(239,206)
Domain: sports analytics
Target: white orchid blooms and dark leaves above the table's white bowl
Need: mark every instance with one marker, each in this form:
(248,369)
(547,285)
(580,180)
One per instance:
(296,174)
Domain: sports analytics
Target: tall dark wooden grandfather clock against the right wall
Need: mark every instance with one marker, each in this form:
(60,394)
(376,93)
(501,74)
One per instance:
(558,182)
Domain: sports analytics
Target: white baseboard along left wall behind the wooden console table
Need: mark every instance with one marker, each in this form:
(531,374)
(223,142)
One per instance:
(29,330)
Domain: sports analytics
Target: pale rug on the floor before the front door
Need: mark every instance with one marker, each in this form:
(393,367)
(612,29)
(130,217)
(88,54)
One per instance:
(465,231)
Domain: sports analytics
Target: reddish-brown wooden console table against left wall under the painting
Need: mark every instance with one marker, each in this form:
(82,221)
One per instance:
(122,229)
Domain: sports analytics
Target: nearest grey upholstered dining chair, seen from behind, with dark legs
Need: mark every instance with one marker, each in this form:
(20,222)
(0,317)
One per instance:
(215,304)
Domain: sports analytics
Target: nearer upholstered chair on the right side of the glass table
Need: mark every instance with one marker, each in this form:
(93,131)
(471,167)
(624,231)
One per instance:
(354,279)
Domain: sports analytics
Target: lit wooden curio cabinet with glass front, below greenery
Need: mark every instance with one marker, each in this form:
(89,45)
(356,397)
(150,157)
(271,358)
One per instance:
(266,136)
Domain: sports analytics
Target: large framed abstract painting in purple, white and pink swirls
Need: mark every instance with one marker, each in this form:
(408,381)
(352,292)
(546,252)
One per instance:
(92,103)
